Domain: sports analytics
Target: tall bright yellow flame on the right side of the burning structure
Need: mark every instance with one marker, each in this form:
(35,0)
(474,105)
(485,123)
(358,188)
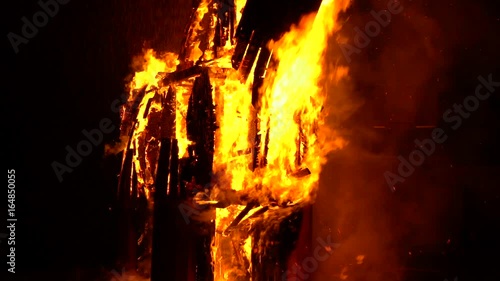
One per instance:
(292,106)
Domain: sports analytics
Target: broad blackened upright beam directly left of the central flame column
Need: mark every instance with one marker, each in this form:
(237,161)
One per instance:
(200,125)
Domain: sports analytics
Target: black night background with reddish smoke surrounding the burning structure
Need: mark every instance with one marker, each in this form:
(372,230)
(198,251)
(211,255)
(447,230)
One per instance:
(66,77)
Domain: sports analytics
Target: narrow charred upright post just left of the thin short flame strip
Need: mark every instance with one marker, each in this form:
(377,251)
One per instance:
(166,263)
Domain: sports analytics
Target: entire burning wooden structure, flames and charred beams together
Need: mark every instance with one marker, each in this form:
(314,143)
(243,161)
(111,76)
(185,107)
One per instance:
(232,125)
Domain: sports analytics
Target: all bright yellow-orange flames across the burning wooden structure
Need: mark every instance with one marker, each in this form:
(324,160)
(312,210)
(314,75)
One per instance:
(291,117)
